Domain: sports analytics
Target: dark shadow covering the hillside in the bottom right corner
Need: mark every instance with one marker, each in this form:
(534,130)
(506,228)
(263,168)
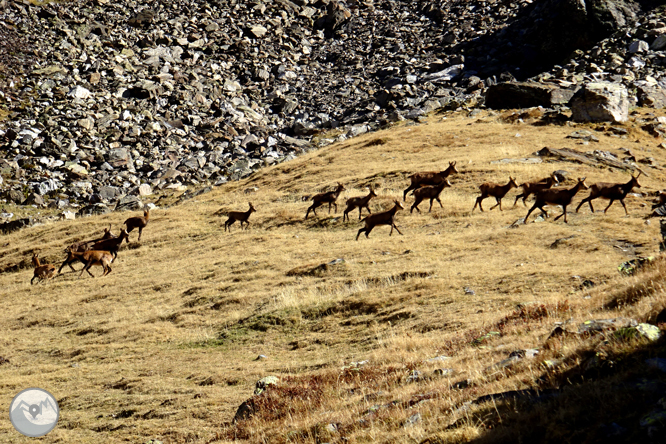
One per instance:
(606,398)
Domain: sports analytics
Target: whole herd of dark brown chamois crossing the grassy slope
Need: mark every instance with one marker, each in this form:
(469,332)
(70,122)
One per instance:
(424,185)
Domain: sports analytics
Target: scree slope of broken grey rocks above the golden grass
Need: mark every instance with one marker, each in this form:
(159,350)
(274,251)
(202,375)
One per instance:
(114,99)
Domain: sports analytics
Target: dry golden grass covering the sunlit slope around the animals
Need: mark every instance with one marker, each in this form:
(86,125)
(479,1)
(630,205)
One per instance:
(165,347)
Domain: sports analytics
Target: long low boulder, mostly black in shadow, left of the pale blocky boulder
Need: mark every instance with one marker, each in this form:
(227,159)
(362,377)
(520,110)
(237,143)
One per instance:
(526,95)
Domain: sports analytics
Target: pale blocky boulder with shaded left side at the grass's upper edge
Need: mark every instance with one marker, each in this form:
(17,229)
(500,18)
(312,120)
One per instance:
(601,102)
